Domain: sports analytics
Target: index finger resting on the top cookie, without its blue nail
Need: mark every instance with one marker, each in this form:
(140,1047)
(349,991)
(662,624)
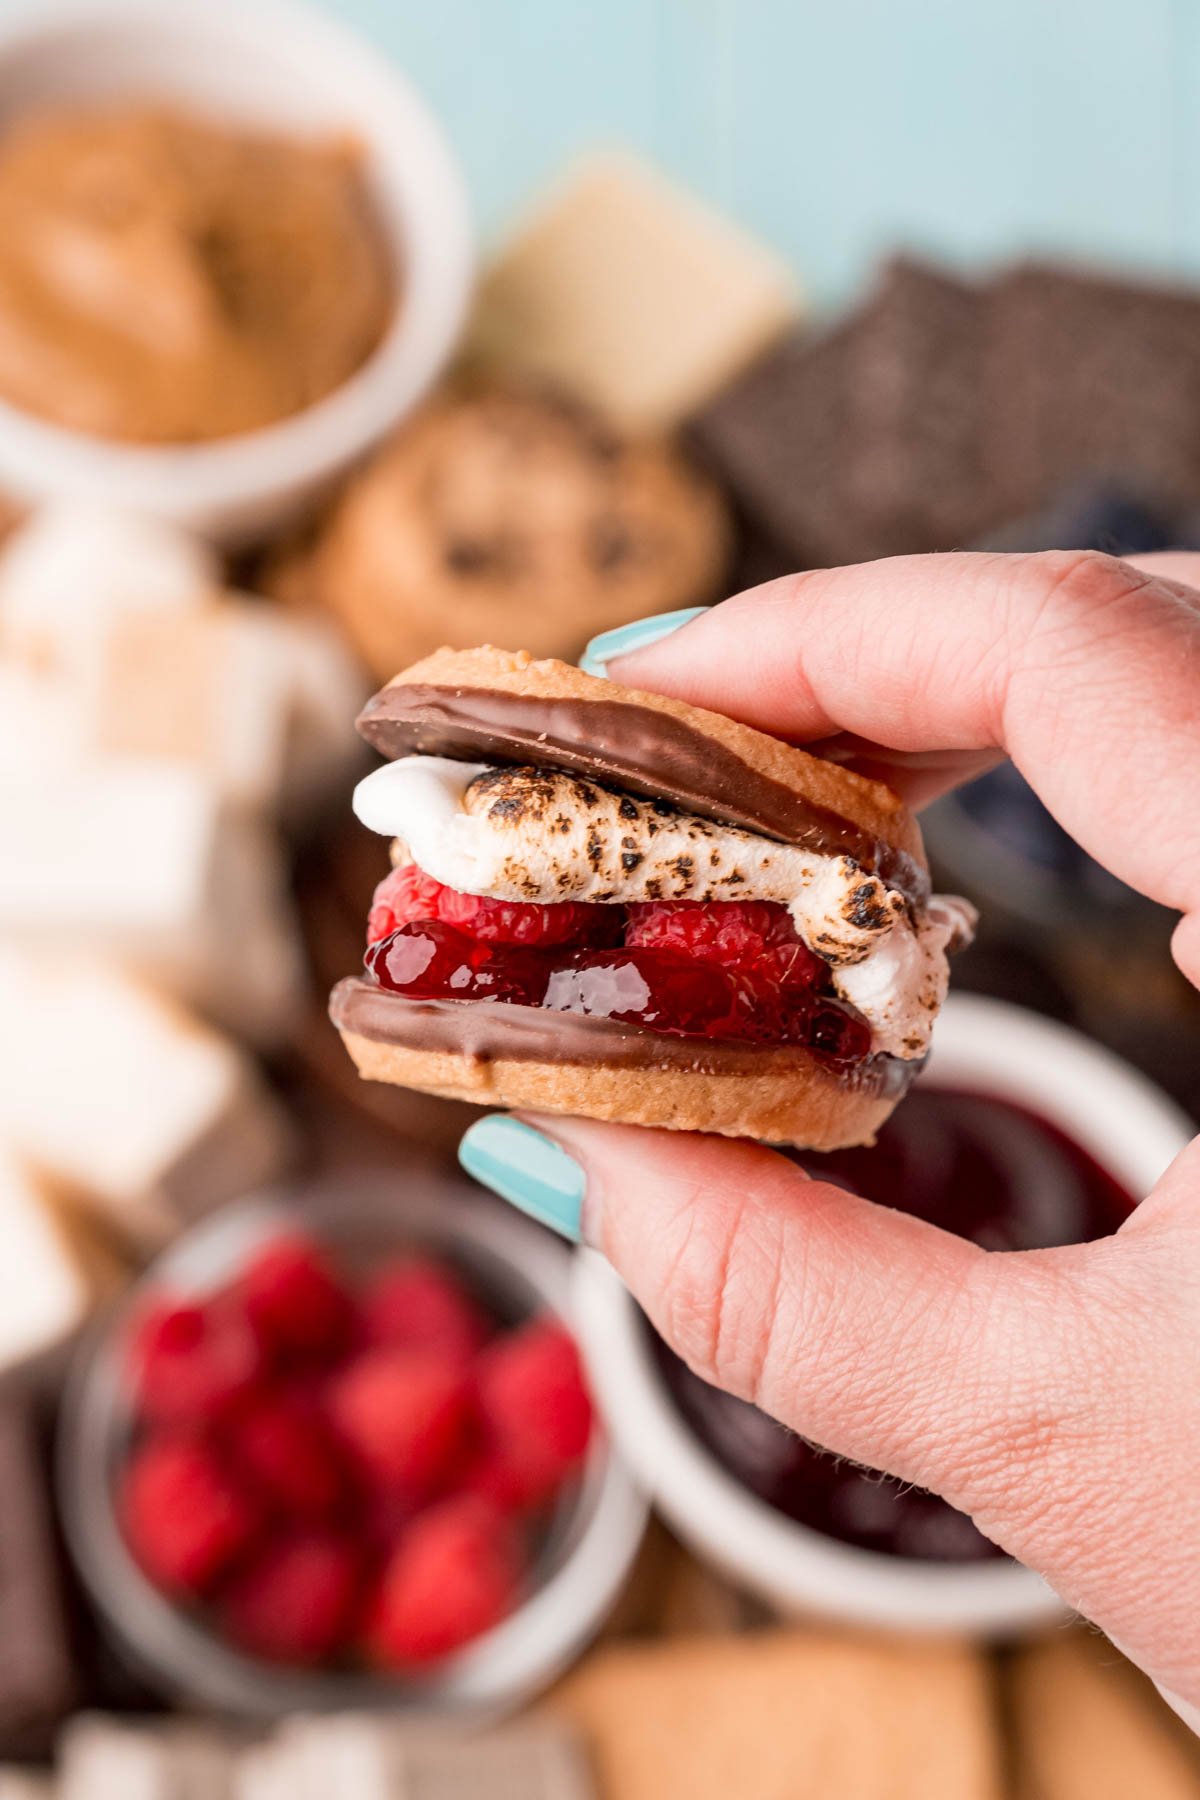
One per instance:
(1082,669)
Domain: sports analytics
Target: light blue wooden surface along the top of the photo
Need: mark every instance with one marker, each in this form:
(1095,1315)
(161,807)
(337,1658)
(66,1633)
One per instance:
(839,129)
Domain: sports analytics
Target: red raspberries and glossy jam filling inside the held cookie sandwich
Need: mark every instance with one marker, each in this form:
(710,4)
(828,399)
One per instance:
(730,971)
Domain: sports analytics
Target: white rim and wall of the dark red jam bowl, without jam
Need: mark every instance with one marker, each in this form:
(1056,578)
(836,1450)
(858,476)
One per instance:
(980,1045)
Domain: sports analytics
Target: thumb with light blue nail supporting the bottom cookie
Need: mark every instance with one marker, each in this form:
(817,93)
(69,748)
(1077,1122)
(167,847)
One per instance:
(1050,1394)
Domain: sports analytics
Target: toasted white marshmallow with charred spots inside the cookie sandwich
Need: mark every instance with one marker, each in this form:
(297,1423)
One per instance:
(544,836)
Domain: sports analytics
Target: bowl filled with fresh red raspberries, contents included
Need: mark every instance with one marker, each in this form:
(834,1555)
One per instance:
(337,1450)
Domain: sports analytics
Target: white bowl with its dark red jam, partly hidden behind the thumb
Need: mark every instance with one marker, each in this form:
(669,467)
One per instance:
(1021,1135)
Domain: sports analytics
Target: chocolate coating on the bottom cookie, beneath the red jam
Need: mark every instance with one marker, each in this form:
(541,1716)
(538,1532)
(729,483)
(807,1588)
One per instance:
(496,1030)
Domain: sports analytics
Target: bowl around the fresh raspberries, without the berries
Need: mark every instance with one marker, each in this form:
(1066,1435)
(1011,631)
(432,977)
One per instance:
(593,1538)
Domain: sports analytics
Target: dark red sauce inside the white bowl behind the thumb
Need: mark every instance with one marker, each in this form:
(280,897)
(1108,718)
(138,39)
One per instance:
(974,1165)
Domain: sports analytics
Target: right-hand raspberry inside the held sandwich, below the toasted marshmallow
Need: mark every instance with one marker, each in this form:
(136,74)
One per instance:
(737,933)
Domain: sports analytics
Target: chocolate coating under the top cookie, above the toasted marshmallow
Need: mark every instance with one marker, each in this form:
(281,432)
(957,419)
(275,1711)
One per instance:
(627,746)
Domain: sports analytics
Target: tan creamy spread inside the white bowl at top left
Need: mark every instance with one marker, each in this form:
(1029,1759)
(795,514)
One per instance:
(172,280)
